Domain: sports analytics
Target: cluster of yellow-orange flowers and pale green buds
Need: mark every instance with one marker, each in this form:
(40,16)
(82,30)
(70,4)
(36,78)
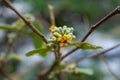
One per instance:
(61,34)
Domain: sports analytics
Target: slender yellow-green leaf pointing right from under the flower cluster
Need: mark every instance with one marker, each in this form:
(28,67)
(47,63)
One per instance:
(84,45)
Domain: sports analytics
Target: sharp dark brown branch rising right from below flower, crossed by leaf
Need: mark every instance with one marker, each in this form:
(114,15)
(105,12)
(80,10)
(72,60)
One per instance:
(111,14)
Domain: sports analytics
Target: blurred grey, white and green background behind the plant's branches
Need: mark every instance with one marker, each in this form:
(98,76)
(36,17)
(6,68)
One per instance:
(80,14)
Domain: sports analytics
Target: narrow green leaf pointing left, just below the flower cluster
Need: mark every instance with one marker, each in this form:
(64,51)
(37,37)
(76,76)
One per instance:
(41,51)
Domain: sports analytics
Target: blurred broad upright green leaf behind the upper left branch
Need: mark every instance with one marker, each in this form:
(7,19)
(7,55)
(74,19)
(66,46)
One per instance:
(38,42)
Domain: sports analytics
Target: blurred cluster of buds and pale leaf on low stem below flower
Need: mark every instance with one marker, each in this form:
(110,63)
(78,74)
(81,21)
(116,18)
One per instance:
(70,69)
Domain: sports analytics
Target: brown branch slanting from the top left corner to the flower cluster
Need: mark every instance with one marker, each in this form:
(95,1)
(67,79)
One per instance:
(8,4)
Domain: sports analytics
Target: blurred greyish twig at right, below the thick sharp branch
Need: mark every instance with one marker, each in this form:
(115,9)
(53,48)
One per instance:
(95,54)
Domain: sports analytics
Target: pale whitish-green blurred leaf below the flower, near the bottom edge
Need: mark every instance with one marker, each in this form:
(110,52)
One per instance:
(83,71)
